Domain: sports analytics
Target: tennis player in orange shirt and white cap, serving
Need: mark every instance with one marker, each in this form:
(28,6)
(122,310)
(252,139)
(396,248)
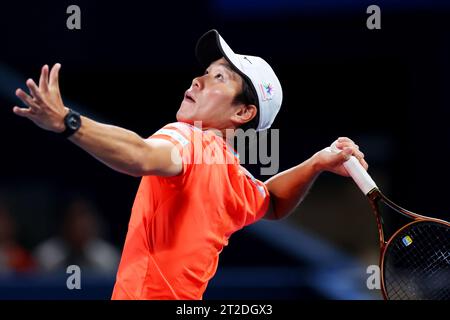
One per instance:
(194,194)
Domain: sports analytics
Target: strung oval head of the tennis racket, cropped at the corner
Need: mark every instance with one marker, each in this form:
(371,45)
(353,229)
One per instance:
(415,262)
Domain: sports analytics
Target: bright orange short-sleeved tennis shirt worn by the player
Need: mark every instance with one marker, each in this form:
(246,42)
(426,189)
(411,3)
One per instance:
(179,225)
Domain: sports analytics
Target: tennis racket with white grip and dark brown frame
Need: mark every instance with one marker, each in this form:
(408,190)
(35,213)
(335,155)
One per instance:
(414,249)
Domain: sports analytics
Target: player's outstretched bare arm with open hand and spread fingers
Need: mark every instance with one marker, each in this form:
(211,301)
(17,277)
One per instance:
(118,148)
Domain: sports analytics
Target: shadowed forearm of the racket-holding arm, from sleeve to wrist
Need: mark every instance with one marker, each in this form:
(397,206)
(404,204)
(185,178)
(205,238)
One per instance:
(288,188)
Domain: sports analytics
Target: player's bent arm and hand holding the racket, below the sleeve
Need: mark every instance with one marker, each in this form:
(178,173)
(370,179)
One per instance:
(288,188)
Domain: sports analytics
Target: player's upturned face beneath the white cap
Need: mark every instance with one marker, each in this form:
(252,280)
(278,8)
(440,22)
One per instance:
(210,97)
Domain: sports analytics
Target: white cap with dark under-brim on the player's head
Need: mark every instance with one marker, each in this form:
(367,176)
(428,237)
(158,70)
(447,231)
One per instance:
(211,47)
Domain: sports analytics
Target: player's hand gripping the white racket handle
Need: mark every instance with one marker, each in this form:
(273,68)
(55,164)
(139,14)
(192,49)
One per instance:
(333,162)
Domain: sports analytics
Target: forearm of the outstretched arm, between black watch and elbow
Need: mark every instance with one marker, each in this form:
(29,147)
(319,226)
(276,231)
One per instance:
(118,148)
